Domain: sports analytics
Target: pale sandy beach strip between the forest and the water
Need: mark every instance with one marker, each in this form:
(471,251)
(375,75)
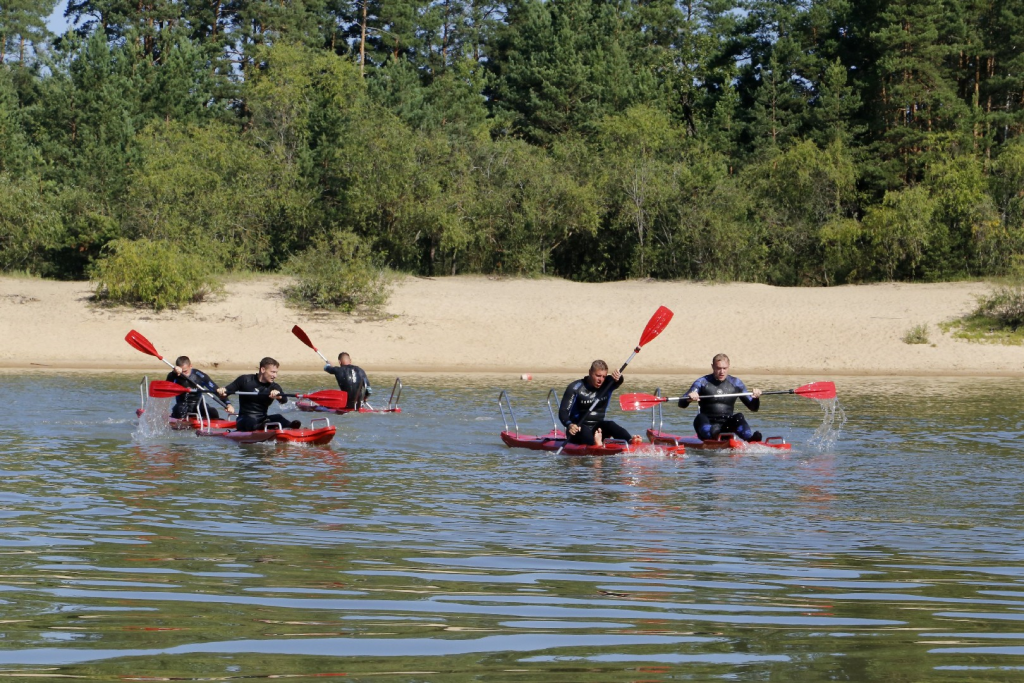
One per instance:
(479,324)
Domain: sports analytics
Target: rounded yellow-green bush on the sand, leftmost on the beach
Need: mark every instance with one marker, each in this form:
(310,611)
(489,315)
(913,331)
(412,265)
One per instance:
(153,274)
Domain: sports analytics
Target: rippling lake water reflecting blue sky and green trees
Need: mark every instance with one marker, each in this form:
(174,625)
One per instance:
(416,547)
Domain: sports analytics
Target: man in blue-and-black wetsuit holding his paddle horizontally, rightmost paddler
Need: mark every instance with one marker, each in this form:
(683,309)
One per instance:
(718,415)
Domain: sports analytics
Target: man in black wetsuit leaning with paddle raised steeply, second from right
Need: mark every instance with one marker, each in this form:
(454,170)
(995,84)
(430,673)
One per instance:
(582,424)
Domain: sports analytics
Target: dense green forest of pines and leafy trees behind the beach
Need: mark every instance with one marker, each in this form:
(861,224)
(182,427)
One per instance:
(812,143)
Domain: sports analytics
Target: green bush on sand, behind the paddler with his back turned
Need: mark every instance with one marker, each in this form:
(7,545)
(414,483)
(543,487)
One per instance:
(339,274)
